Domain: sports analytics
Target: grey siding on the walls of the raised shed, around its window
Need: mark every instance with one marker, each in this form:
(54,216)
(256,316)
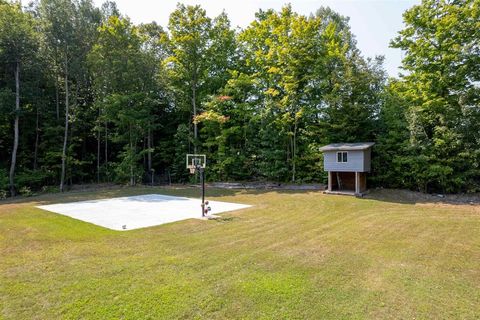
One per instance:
(358,161)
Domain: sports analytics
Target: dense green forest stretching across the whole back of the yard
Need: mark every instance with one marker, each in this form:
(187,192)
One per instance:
(86,96)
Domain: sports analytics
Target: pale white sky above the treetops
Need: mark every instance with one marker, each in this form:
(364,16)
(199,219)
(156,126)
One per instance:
(374,22)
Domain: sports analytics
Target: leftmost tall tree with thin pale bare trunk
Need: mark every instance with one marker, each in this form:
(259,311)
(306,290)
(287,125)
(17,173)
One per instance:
(18,41)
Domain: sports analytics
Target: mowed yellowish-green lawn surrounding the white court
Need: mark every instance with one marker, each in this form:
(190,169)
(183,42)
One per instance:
(294,255)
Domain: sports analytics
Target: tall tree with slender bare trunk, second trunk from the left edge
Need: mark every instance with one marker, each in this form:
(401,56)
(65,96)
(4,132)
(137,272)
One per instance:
(69,29)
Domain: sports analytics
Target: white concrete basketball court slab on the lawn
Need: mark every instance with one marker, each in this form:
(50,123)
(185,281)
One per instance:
(138,211)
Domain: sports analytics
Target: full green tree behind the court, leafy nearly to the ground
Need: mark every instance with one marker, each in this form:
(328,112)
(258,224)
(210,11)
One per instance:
(123,63)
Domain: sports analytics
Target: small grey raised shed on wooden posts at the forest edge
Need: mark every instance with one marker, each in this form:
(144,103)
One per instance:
(347,165)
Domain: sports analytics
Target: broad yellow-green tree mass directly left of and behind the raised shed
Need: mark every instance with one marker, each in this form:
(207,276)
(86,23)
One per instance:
(313,87)
